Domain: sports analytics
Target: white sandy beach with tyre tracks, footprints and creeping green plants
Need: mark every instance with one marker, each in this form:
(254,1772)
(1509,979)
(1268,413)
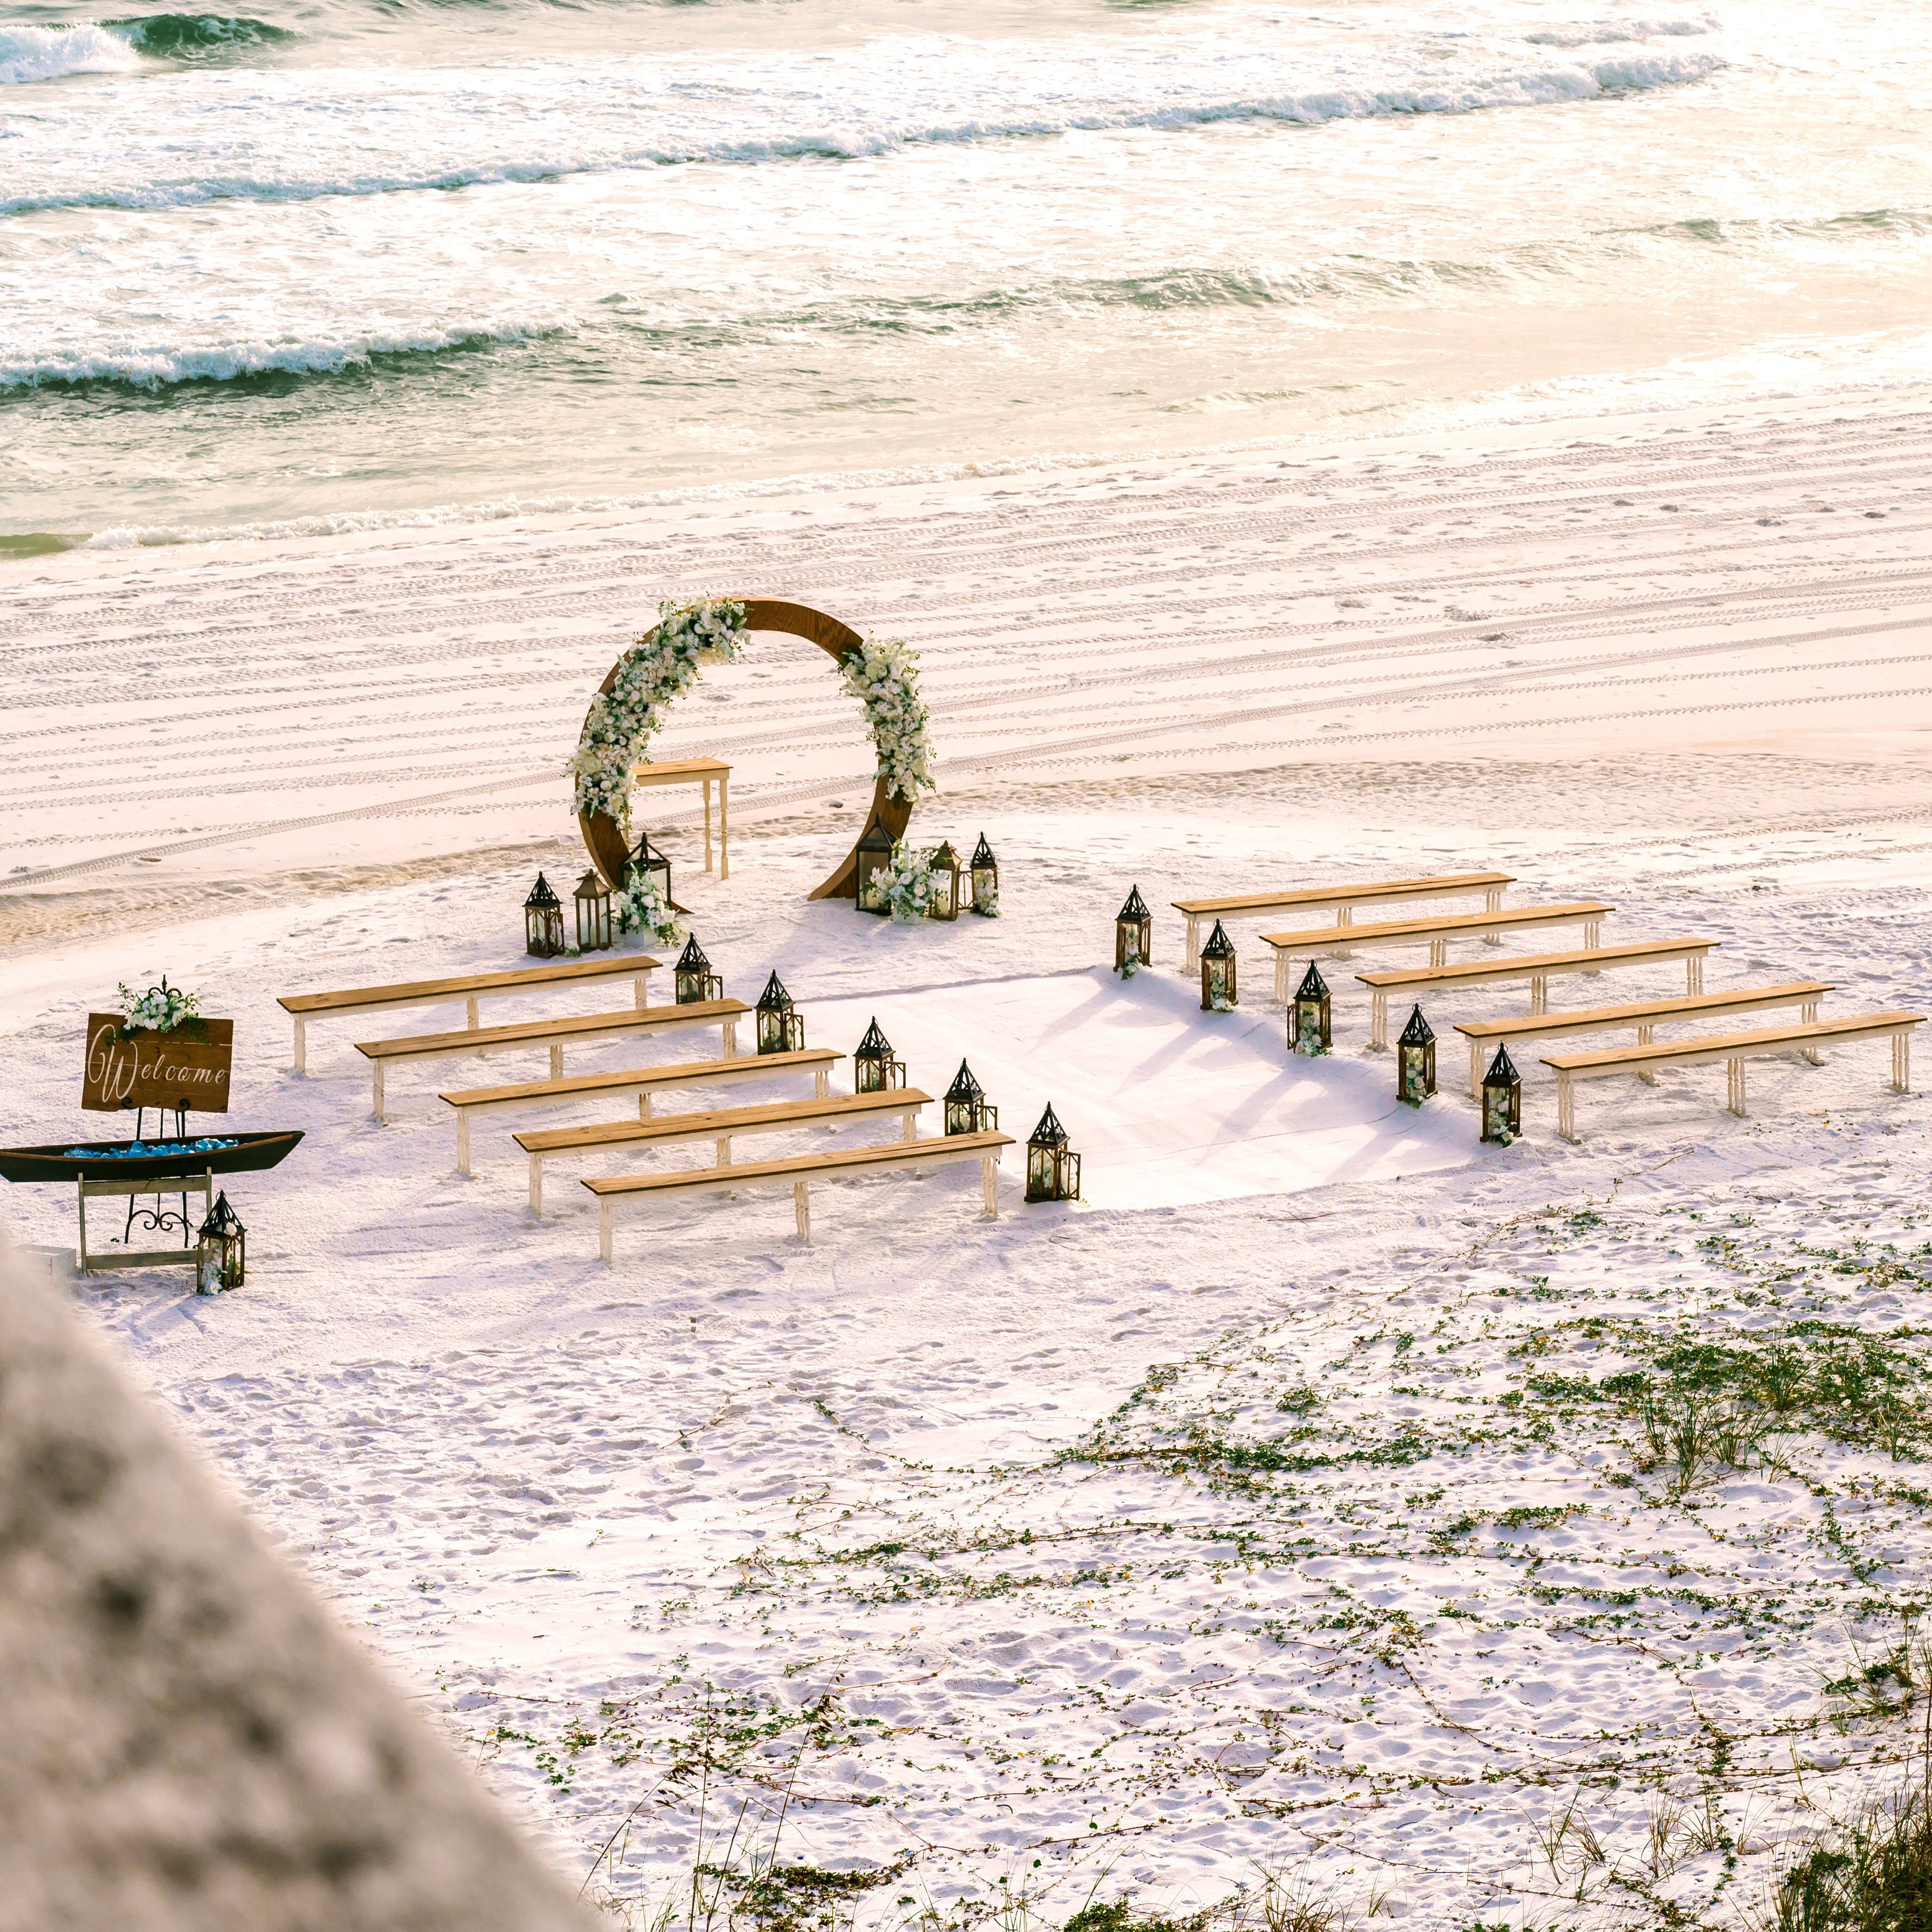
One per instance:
(1278,1510)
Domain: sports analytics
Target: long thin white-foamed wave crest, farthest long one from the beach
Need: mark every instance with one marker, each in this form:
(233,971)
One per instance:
(1543,86)
